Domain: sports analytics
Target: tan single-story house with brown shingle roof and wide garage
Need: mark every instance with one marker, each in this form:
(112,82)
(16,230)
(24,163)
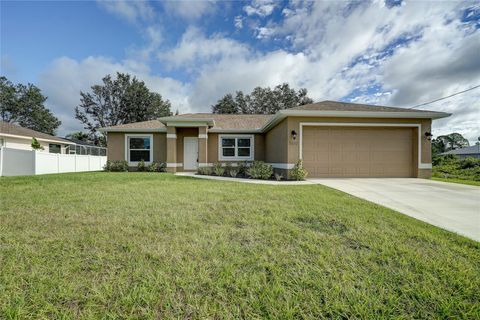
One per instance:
(334,139)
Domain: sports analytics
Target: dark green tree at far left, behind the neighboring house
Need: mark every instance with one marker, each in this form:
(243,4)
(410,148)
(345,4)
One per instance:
(24,105)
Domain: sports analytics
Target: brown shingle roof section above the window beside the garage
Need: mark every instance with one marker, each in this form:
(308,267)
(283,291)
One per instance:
(233,121)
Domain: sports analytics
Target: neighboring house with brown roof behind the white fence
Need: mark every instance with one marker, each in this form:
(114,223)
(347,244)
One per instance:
(17,137)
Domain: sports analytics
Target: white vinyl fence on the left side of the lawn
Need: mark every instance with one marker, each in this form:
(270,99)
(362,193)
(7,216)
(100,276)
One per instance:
(15,162)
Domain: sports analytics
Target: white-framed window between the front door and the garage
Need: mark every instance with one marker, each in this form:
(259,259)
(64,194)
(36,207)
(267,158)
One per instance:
(236,147)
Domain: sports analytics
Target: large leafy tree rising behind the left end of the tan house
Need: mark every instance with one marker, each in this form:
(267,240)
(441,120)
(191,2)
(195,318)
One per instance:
(118,101)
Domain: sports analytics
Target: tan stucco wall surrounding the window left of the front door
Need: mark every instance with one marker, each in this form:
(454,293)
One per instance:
(116,146)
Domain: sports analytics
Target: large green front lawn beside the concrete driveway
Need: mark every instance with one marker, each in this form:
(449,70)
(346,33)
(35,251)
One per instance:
(133,245)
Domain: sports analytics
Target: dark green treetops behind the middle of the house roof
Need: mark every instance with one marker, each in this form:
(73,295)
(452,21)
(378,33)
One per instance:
(262,100)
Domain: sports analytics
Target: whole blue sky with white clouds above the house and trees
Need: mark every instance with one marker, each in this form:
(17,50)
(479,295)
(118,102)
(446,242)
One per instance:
(395,53)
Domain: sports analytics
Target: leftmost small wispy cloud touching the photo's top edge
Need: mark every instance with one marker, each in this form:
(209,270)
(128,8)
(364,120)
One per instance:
(132,11)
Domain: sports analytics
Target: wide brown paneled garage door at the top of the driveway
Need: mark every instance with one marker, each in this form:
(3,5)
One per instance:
(358,152)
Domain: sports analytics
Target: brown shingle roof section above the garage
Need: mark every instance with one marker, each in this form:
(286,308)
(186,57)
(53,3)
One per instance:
(348,106)
